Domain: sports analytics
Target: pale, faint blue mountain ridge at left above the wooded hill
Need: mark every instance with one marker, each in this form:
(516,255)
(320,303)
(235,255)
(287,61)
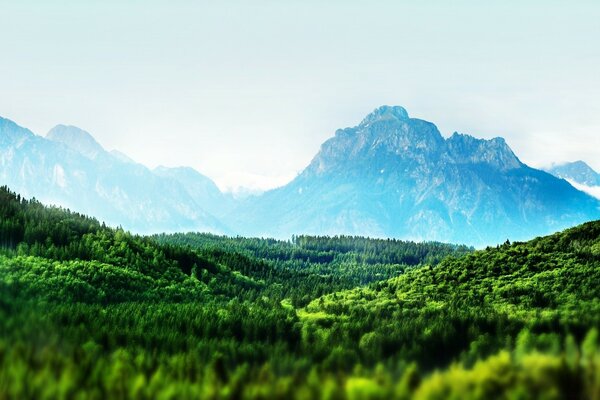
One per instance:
(69,168)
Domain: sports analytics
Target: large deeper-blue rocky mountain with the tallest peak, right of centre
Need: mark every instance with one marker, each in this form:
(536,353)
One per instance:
(396,176)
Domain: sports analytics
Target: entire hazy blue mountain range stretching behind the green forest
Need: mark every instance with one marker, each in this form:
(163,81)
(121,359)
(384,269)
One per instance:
(389,176)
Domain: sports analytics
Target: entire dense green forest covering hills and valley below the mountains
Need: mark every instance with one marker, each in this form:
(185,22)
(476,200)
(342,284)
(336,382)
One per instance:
(88,311)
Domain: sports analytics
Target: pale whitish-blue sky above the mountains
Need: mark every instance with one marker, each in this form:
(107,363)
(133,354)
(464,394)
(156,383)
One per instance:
(246,92)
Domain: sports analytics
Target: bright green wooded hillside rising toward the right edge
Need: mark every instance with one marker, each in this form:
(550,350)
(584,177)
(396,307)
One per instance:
(472,304)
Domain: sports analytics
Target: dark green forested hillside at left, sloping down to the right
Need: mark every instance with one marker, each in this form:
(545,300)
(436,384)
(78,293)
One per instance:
(70,257)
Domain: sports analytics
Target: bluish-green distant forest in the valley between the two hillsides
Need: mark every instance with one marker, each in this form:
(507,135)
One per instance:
(308,267)
